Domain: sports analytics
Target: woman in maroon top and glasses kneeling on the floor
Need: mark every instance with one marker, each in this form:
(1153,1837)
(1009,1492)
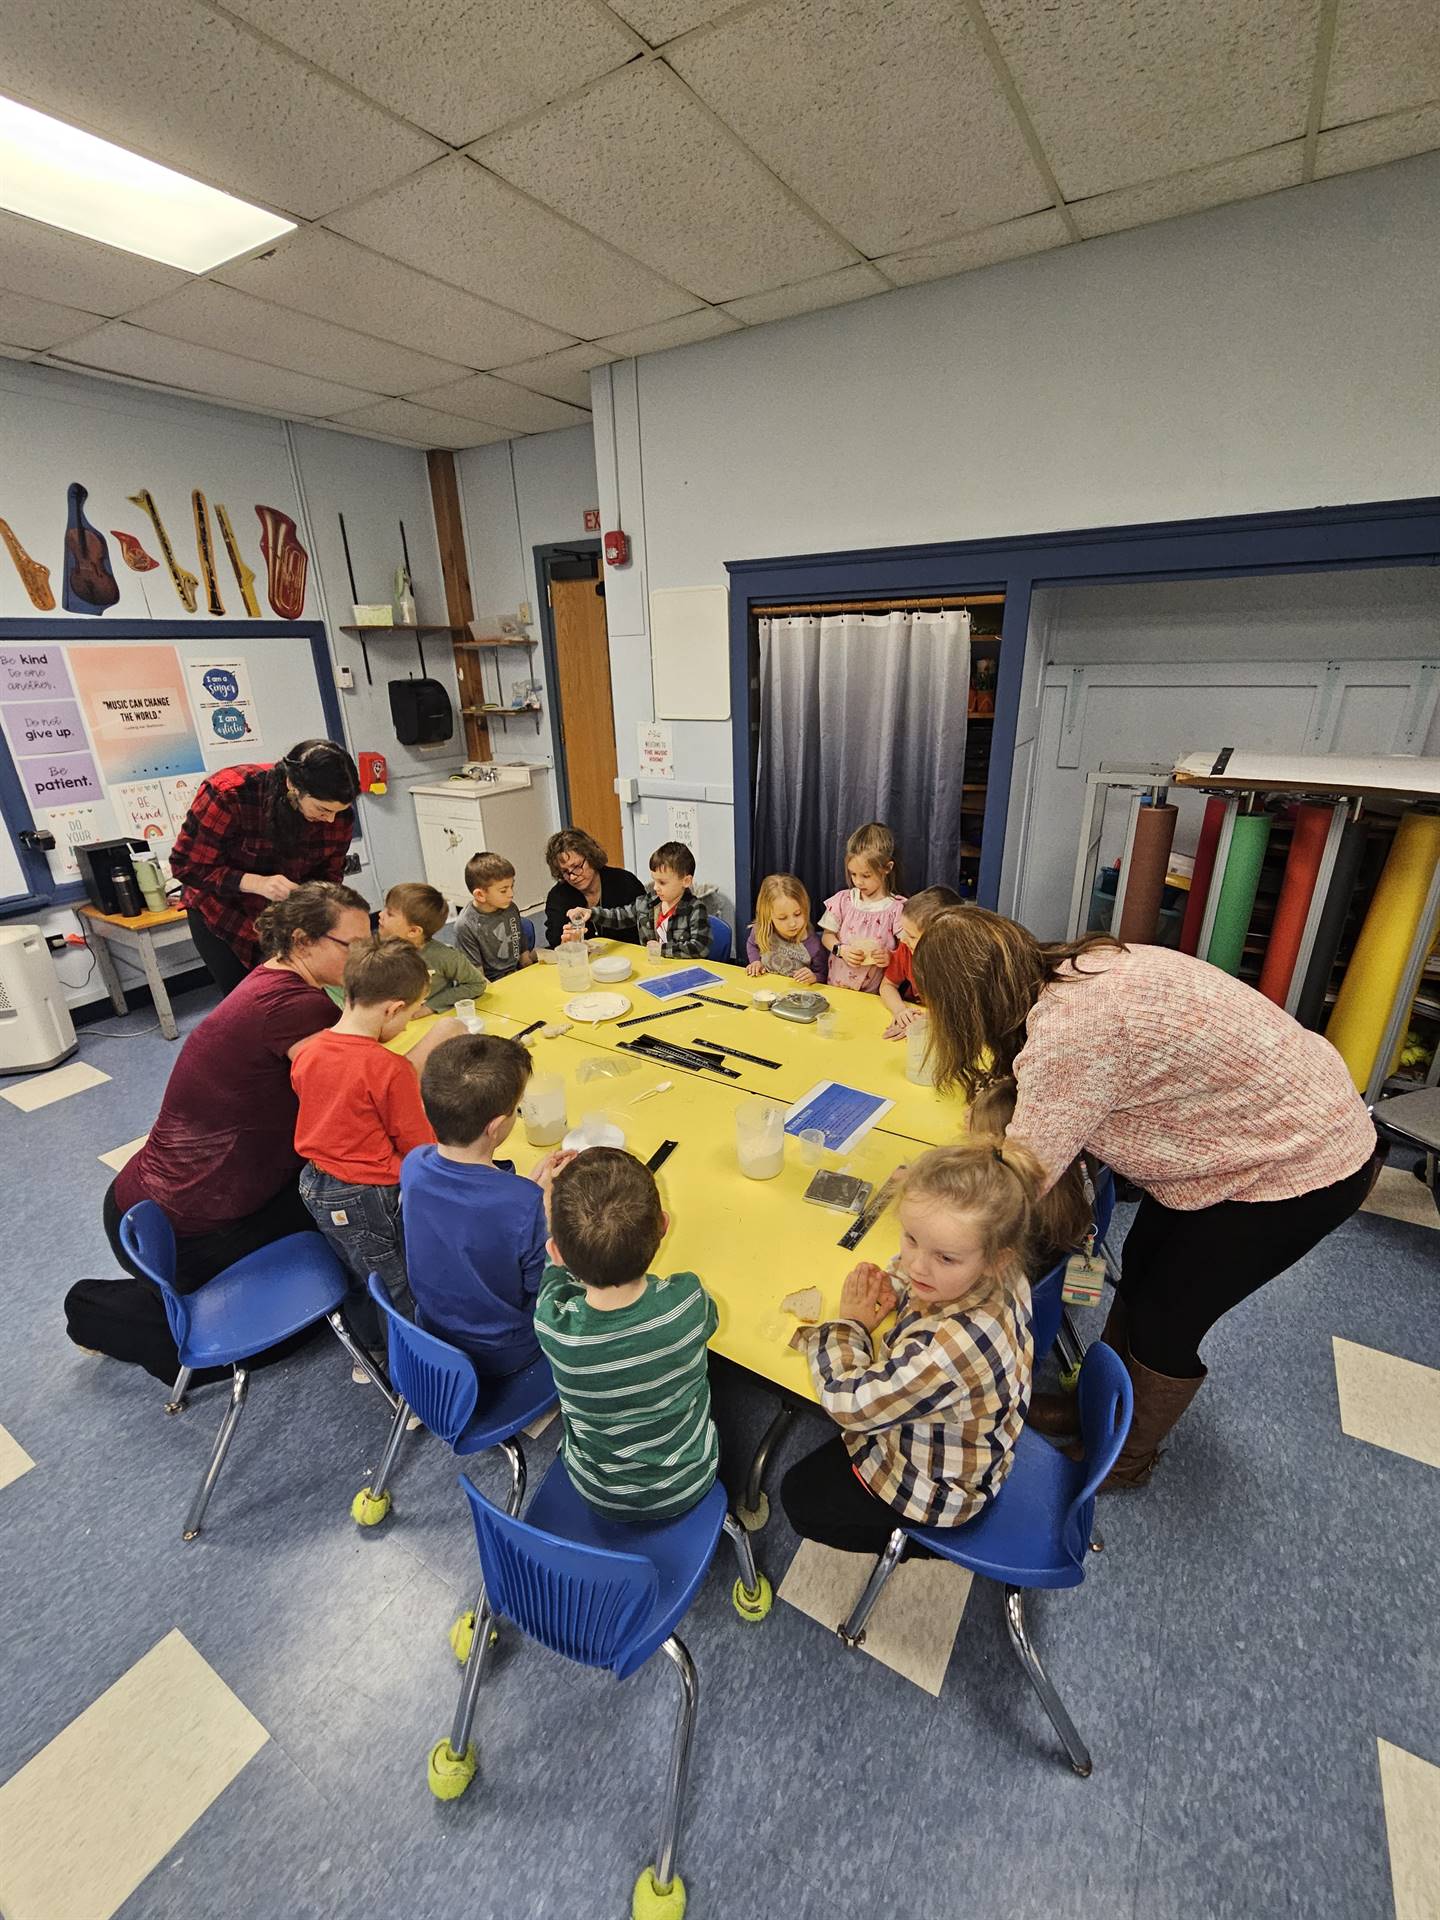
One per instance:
(222,1155)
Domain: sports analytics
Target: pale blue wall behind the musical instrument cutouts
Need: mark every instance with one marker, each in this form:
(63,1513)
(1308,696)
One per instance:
(116,439)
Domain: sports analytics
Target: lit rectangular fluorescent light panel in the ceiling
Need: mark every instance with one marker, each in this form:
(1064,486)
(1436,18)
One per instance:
(57,174)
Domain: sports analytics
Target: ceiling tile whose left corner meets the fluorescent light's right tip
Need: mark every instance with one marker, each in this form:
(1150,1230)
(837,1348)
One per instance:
(471,229)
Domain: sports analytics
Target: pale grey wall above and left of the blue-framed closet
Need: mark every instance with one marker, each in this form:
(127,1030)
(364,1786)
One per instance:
(1276,354)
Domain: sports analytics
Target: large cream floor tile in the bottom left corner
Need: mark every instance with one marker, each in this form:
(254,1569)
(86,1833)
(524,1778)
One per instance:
(93,1813)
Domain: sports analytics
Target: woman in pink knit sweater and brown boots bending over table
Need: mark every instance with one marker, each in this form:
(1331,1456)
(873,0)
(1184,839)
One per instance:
(1243,1128)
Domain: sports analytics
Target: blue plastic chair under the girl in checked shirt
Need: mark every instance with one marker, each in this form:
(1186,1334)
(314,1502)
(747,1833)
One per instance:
(1036,1531)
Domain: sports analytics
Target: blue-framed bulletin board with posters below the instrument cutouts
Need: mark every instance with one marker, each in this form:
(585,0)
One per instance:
(108,734)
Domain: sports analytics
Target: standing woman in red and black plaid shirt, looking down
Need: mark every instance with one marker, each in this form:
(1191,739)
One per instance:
(252,836)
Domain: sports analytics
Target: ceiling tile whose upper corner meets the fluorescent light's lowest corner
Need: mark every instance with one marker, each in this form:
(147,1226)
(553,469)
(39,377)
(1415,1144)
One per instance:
(237,324)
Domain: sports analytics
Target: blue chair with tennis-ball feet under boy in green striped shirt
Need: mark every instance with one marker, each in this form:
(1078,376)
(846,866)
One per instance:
(604,1595)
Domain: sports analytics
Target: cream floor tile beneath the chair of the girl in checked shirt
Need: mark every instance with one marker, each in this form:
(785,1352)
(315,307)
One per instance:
(917,1618)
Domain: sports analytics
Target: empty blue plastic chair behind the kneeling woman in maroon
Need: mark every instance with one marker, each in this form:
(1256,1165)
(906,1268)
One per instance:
(245,1310)
